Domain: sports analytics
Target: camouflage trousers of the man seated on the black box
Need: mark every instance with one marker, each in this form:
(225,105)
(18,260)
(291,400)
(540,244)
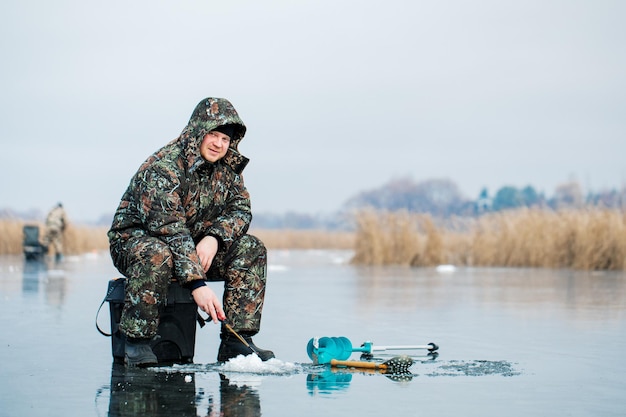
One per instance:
(147,264)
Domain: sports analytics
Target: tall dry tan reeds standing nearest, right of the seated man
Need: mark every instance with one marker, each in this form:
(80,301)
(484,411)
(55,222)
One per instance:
(589,239)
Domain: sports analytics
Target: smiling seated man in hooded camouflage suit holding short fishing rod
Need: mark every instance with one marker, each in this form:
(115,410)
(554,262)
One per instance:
(185,217)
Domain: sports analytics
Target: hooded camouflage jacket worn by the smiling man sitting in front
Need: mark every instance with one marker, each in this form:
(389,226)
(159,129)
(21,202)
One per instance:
(179,197)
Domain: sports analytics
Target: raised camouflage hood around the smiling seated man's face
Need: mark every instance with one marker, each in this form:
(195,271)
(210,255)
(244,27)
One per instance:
(209,114)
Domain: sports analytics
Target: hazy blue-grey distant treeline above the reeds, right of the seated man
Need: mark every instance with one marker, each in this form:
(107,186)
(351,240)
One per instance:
(441,198)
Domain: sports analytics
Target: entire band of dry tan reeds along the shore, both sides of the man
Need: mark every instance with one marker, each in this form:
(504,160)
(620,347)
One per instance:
(587,239)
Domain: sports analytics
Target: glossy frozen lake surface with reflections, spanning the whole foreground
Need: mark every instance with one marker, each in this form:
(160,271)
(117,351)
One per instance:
(514,342)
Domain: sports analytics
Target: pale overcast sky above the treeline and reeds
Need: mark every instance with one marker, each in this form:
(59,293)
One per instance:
(339,96)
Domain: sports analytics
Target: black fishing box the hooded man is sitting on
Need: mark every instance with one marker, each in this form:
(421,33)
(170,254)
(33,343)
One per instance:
(176,335)
